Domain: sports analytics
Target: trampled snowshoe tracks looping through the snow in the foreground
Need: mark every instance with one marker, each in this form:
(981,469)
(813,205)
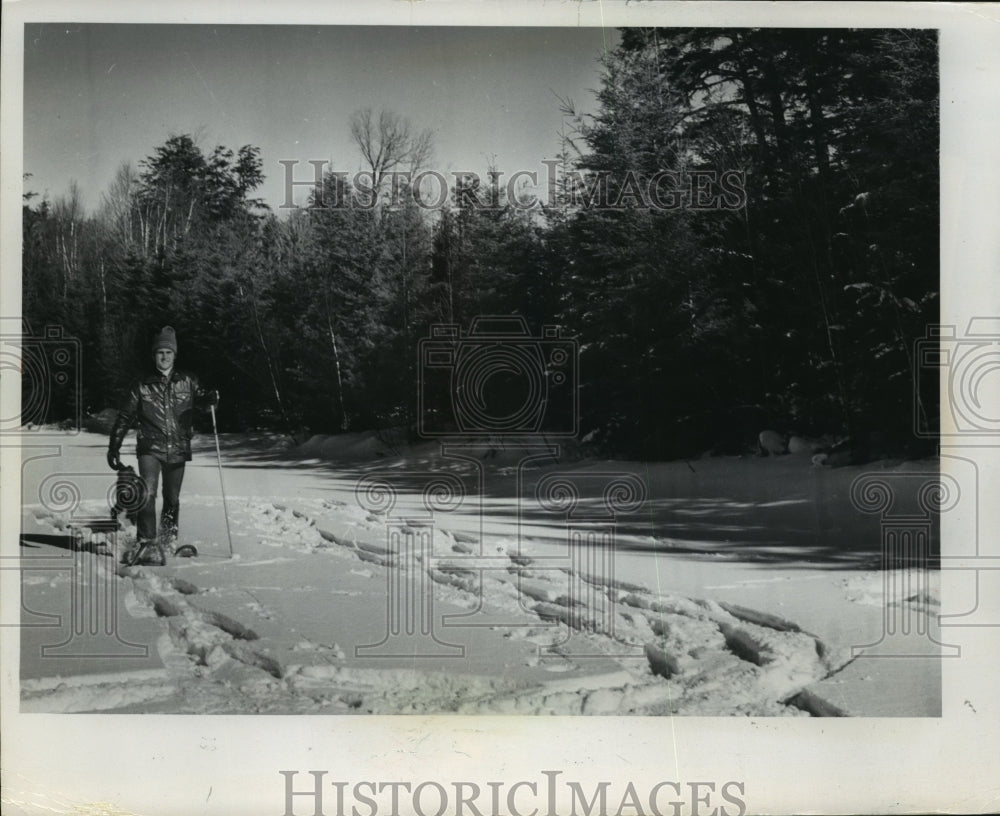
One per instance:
(697,657)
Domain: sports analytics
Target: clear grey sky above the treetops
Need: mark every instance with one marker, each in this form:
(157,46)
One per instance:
(96,95)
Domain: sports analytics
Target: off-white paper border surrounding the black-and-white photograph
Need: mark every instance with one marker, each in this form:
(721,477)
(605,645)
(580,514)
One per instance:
(167,765)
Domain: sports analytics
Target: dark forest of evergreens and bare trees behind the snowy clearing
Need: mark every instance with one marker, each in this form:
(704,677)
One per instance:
(697,327)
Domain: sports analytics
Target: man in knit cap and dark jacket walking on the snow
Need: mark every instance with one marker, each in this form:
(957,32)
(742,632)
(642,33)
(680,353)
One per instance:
(161,405)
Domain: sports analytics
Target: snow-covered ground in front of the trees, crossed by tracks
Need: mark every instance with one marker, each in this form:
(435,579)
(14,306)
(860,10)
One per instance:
(516,584)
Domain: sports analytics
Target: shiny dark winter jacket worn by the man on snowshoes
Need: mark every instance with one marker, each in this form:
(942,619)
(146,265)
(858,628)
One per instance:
(162,409)
